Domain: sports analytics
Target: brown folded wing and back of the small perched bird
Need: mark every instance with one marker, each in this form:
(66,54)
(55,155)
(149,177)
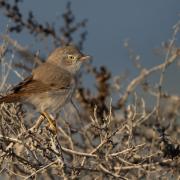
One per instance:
(43,81)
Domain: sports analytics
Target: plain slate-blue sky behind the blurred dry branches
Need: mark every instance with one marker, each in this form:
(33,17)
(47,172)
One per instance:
(145,23)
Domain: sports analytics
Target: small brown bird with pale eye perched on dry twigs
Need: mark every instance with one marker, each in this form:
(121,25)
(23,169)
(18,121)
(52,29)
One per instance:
(51,85)
